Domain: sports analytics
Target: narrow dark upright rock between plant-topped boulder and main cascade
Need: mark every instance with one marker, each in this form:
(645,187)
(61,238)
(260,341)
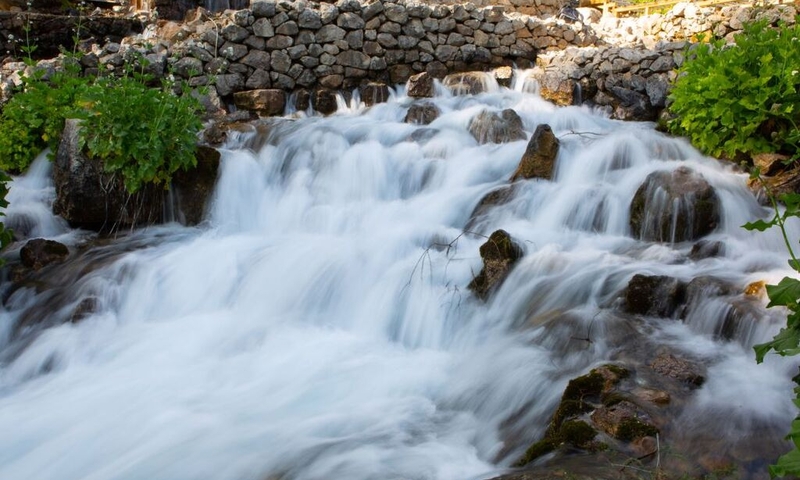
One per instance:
(193,188)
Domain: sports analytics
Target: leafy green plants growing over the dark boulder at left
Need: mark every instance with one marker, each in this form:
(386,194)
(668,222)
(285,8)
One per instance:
(144,133)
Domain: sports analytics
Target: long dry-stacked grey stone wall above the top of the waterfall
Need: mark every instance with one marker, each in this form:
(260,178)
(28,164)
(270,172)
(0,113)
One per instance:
(295,45)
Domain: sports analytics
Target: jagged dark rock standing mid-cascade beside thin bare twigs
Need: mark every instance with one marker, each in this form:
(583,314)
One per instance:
(499,254)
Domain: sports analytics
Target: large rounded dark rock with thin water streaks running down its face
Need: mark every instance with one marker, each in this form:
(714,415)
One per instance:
(674,206)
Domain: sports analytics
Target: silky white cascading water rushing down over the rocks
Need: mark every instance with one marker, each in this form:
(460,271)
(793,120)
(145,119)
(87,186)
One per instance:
(319,326)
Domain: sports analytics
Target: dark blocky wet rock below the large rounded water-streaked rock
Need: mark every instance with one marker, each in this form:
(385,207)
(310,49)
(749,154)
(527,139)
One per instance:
(654,295)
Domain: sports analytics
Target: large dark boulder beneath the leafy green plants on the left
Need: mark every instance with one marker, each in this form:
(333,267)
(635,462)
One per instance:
(89,197)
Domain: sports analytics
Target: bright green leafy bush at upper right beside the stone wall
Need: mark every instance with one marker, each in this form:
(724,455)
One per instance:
(744,97)
